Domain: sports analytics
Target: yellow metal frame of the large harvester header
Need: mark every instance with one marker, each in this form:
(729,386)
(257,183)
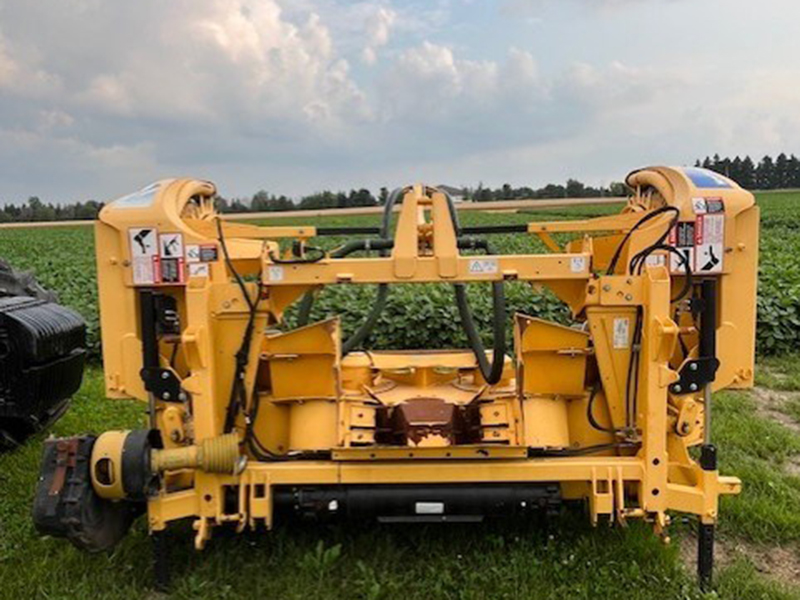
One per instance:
(332,397)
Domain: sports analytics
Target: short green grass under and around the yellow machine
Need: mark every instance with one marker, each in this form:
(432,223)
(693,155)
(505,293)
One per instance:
(567,559)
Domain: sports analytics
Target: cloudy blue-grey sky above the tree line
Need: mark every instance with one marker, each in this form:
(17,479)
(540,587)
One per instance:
(100,97)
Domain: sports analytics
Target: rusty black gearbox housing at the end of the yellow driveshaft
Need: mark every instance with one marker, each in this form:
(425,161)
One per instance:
(66,504)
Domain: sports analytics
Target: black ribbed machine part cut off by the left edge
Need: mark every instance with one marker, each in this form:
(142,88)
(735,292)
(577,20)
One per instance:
(42,353)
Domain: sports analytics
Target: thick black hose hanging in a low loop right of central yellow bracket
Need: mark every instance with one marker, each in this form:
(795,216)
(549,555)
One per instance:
(491,373)
